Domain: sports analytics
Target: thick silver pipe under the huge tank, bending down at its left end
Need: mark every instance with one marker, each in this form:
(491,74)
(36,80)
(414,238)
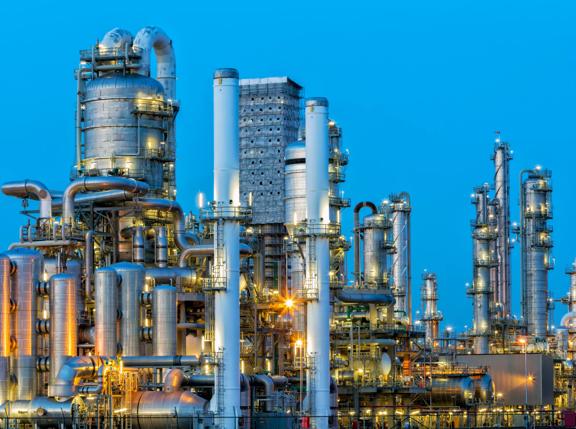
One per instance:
(89,184)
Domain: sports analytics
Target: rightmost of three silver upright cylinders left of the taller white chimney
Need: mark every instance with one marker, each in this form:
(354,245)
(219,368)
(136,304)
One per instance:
(164,319)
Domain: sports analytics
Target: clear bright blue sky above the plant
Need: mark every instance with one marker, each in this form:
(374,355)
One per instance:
(418,86)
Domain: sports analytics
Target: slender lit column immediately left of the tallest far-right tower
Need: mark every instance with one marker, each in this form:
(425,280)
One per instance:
(484,260)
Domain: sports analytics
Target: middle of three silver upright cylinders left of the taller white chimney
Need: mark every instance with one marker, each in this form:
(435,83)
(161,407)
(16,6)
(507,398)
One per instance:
(131,286)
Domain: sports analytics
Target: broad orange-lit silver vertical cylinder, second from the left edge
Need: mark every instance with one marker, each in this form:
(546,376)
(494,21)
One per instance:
(28,265)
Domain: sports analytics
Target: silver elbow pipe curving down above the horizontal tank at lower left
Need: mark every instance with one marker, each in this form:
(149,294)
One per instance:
(70,374)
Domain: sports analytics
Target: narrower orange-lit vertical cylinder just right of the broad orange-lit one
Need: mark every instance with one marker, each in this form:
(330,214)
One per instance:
(63,324)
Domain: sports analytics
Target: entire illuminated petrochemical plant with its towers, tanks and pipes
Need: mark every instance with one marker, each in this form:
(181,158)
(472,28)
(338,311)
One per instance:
(121,309)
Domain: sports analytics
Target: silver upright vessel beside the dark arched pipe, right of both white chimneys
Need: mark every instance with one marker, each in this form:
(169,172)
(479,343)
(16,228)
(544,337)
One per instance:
(375,253)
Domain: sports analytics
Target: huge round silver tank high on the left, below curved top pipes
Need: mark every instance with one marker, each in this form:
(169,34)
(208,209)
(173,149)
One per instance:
(124,131)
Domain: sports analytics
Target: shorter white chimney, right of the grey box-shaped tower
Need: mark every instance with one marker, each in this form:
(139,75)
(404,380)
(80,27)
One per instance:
(318,261)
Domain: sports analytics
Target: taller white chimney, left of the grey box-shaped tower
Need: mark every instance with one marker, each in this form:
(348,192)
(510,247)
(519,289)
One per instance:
(226,268)
